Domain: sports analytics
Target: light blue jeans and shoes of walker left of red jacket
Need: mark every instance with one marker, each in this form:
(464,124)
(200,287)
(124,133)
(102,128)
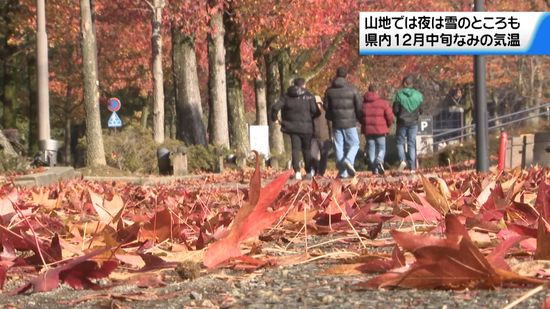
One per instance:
(346,145)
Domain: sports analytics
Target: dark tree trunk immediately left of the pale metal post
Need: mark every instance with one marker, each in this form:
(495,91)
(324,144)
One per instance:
(33,105)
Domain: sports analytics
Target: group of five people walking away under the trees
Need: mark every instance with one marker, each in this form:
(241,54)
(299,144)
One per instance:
(315,125)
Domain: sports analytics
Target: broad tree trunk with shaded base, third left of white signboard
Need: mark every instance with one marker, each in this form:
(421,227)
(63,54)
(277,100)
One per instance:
(190,126)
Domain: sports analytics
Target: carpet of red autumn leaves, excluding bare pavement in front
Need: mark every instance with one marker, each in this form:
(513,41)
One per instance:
(80,232)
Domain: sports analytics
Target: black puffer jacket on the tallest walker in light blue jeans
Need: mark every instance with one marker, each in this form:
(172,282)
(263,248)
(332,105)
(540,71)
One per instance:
(343,104)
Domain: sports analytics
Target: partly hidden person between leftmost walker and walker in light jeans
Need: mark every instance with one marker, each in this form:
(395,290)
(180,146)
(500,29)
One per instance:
(321,142)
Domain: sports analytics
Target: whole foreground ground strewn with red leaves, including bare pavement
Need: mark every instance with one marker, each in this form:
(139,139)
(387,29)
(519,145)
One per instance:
(461,237)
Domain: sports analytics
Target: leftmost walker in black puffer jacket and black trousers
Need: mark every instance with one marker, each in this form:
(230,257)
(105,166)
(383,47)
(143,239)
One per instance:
(298,109)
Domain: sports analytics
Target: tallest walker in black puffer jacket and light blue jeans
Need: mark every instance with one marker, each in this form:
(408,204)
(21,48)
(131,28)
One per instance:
(344,109)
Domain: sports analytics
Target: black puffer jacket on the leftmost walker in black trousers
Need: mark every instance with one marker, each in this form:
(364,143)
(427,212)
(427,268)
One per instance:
(298,109)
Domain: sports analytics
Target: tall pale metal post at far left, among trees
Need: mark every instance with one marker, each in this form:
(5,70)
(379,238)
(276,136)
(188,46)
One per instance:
(42,72)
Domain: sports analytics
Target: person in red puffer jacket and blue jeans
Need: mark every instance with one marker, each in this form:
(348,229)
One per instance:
(377,120)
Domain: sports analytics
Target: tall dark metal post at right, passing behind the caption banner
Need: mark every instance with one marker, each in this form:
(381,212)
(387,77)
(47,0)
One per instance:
(482,127)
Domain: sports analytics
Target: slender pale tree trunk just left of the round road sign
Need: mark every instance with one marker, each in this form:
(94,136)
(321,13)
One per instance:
(95,154)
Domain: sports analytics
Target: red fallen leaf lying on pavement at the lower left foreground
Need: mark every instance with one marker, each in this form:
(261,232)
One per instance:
(49,279)
